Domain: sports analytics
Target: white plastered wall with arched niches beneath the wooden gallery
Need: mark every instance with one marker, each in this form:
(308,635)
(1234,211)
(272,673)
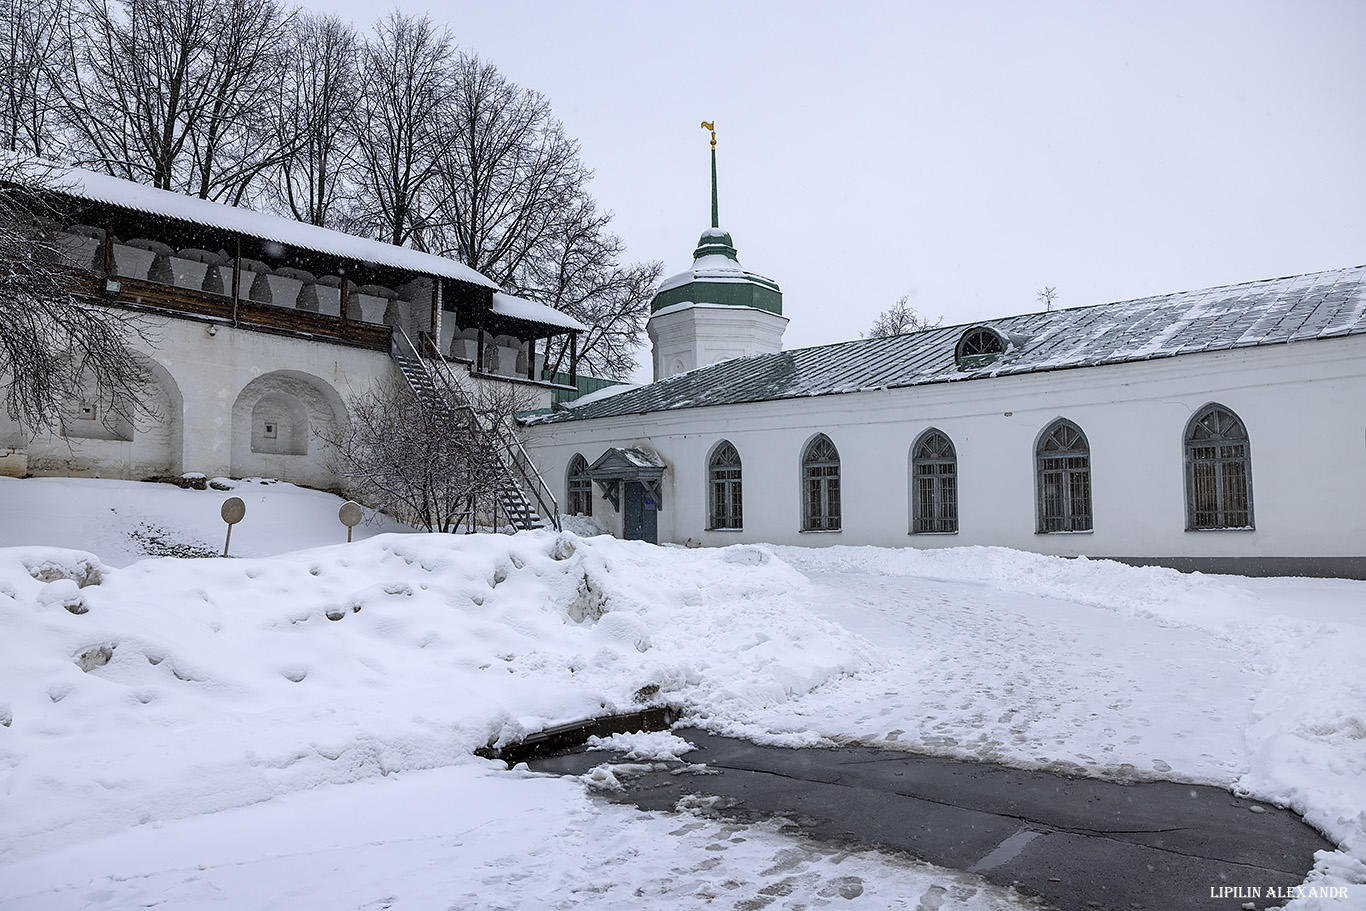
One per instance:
(210,387)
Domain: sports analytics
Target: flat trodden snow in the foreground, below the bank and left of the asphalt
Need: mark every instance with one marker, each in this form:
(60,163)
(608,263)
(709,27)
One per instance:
(475,841)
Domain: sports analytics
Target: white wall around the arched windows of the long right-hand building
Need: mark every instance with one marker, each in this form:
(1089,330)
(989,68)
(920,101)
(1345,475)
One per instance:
(1301,404)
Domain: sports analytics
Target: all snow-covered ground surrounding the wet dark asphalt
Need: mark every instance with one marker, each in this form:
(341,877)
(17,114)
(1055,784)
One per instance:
(296,727)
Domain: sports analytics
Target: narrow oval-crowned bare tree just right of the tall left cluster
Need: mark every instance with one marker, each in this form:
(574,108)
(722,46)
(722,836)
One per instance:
(319,143)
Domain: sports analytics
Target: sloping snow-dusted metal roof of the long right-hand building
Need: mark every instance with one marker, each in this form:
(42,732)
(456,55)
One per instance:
(1257,313)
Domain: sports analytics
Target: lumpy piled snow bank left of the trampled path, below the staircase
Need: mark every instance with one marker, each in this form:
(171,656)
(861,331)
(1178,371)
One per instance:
(193,686)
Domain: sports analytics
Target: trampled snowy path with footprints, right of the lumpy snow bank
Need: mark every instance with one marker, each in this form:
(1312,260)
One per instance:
(981,673)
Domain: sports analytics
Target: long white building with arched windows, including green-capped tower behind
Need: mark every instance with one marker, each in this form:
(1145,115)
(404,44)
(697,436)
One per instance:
(1221,430)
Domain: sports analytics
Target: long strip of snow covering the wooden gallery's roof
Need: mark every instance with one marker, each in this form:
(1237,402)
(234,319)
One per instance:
(125,195)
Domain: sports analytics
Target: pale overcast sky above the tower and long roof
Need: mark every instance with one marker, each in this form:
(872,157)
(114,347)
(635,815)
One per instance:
(964,154)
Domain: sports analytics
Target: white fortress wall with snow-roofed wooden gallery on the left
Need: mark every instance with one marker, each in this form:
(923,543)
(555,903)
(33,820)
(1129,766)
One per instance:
(256,333)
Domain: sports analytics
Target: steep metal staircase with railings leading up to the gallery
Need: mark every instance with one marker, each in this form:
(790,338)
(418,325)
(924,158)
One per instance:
(509,462)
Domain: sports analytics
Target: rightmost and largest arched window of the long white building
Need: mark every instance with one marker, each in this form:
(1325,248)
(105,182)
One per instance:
(1219,472)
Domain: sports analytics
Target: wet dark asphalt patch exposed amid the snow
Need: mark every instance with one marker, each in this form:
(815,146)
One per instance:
(1076,843)
